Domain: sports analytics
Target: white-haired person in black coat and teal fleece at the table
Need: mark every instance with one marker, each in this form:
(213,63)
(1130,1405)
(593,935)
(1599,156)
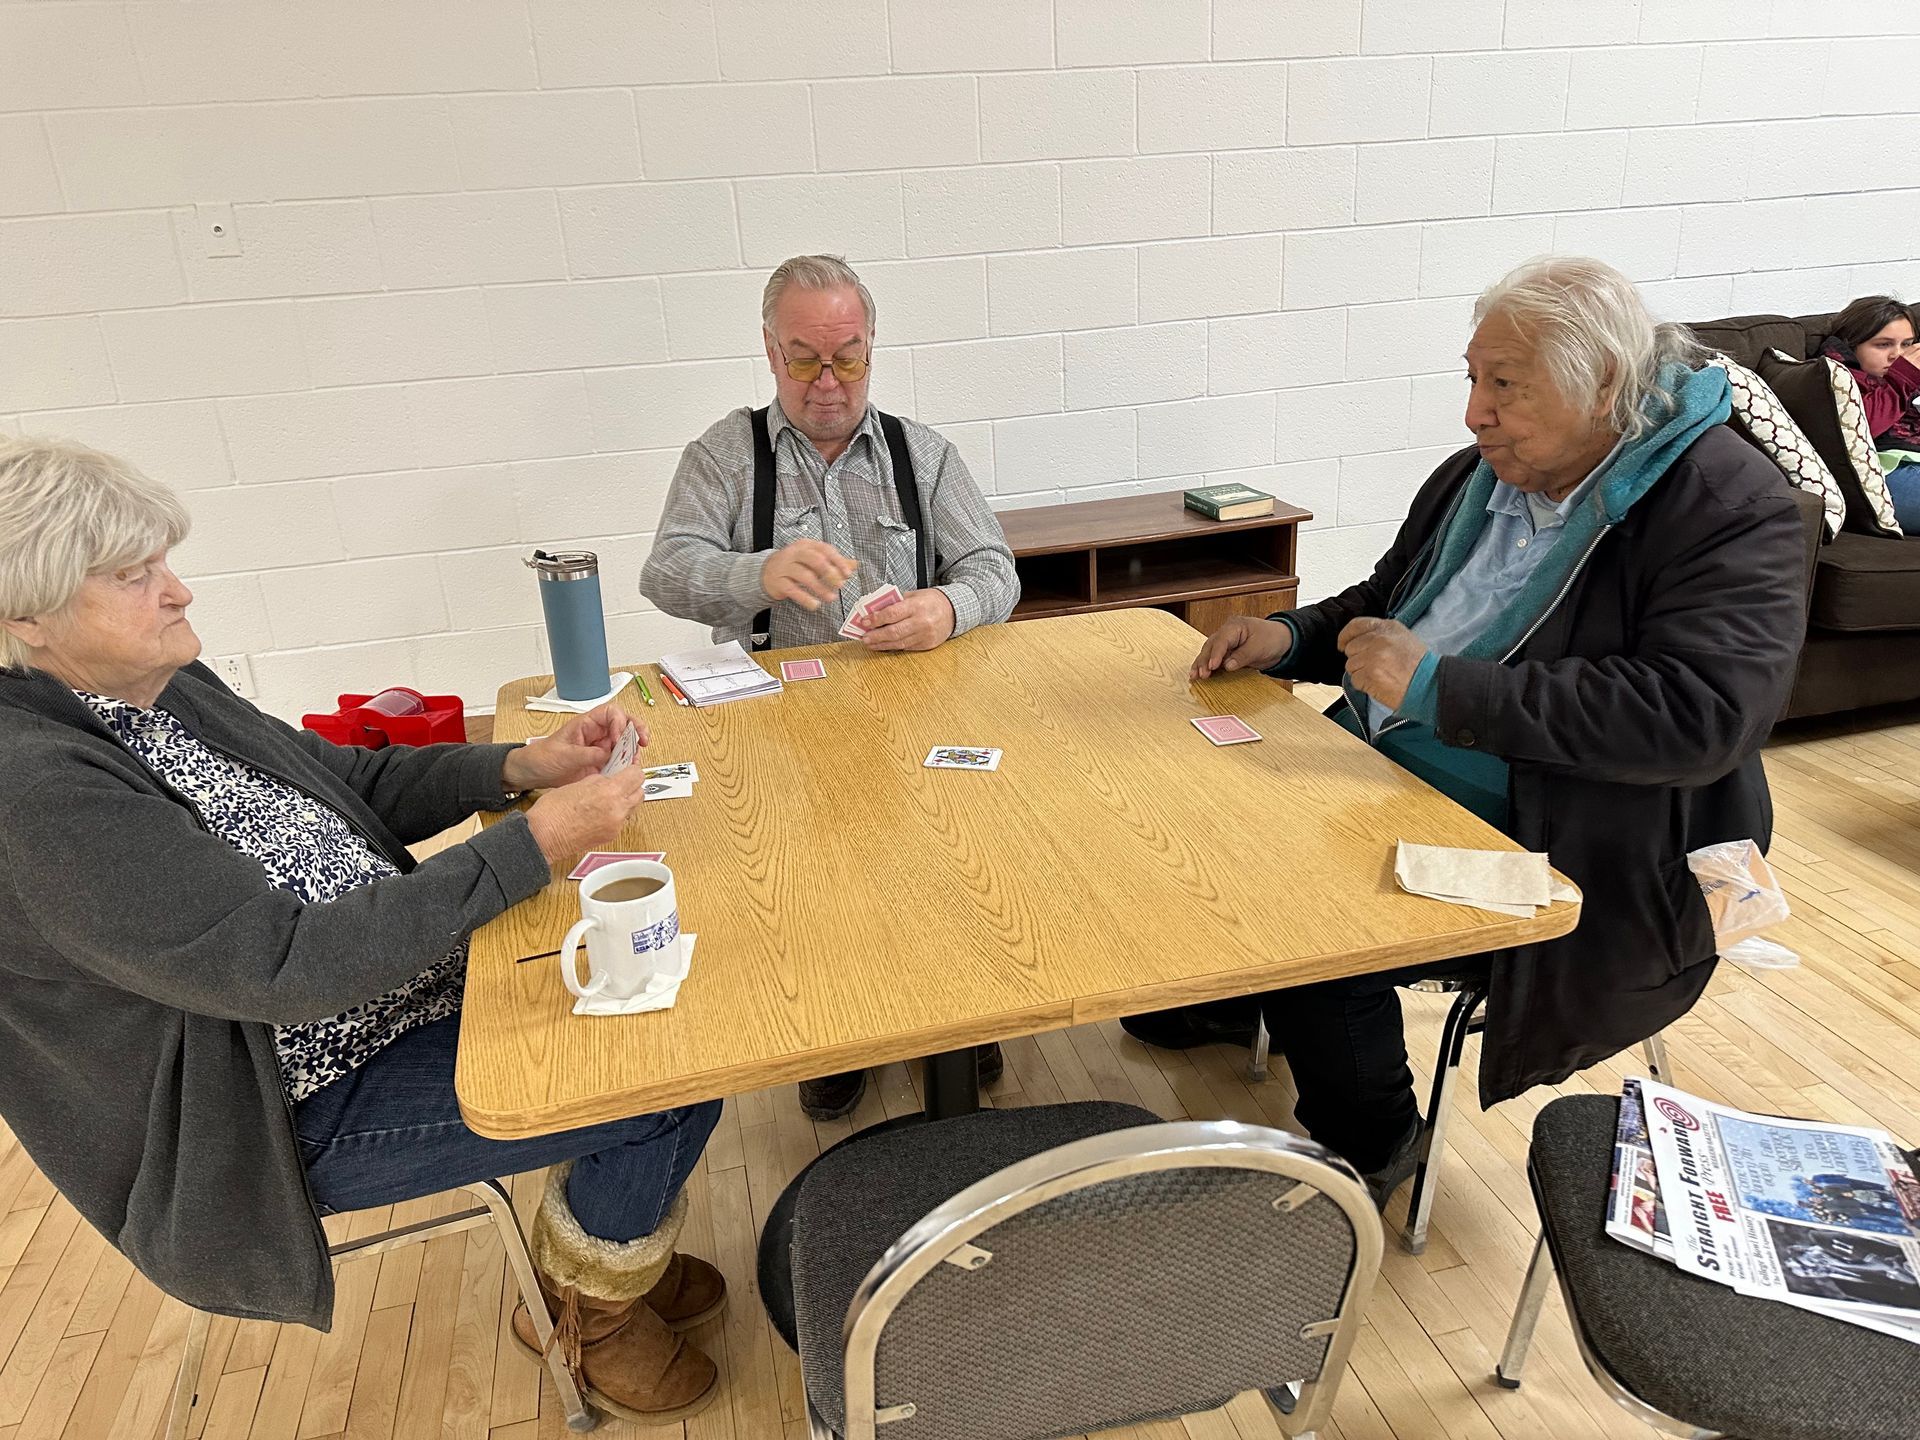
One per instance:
(1583,633)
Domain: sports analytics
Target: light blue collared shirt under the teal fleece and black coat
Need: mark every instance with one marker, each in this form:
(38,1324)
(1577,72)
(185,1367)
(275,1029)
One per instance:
(1522,531)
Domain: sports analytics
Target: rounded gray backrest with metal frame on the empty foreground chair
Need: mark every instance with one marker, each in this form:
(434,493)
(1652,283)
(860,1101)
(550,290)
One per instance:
(1124,1278)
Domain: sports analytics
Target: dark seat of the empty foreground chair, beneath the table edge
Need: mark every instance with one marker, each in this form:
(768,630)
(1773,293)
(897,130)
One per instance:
(869,1189)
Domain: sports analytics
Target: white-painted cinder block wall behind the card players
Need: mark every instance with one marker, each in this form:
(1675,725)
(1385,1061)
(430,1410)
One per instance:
(500,260)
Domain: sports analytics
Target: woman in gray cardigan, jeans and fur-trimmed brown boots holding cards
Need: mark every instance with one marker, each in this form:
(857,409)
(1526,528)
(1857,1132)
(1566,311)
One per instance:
(231,997)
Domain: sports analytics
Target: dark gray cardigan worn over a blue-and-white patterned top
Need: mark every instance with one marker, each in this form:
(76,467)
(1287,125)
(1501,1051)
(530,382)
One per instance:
(145,961)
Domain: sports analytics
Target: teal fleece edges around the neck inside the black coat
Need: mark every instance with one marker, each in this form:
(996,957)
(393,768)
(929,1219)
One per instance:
(1702,400)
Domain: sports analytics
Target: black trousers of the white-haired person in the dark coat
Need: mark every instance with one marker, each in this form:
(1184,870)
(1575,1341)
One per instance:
(1347,1047)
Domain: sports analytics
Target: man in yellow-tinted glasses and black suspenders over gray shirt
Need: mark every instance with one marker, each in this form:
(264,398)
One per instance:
(780,519)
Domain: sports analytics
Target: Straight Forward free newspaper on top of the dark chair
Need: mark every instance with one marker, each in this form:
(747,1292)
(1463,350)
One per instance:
(1817,1216)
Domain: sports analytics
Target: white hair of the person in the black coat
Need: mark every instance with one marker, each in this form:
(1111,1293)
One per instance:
(1595,337)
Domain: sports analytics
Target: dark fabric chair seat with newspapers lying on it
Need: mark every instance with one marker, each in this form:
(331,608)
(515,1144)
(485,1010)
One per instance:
(1692,1349)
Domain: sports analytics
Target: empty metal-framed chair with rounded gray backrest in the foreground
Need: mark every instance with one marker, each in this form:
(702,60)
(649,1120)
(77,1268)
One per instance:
(1138,1272)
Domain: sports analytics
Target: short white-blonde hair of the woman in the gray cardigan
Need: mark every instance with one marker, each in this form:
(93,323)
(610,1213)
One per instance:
(66,514)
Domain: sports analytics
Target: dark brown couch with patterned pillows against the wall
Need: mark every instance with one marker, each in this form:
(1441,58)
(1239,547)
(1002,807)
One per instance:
(1863,623)
